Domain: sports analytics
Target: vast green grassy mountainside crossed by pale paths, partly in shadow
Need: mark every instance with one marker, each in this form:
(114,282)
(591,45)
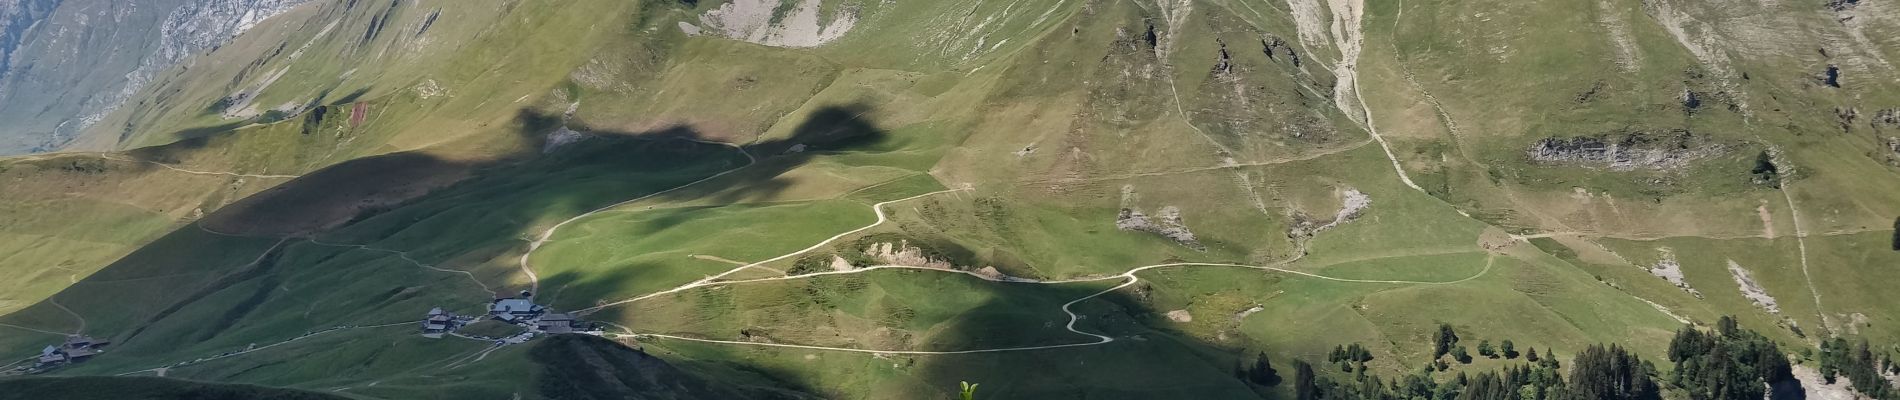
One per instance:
(881,200)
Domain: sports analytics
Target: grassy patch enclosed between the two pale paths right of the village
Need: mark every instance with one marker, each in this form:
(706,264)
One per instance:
(877,310)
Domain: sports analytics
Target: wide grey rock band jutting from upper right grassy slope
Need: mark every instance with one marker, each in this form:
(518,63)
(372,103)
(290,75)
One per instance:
(1627,151)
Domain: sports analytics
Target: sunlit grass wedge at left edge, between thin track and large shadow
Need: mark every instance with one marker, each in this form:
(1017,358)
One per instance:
(66,217)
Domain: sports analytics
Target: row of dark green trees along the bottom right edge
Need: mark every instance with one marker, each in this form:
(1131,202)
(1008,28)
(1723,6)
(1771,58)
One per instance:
(1724,363)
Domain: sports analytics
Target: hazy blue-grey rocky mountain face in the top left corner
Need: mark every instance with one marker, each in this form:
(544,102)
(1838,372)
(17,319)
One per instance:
(67,64)
